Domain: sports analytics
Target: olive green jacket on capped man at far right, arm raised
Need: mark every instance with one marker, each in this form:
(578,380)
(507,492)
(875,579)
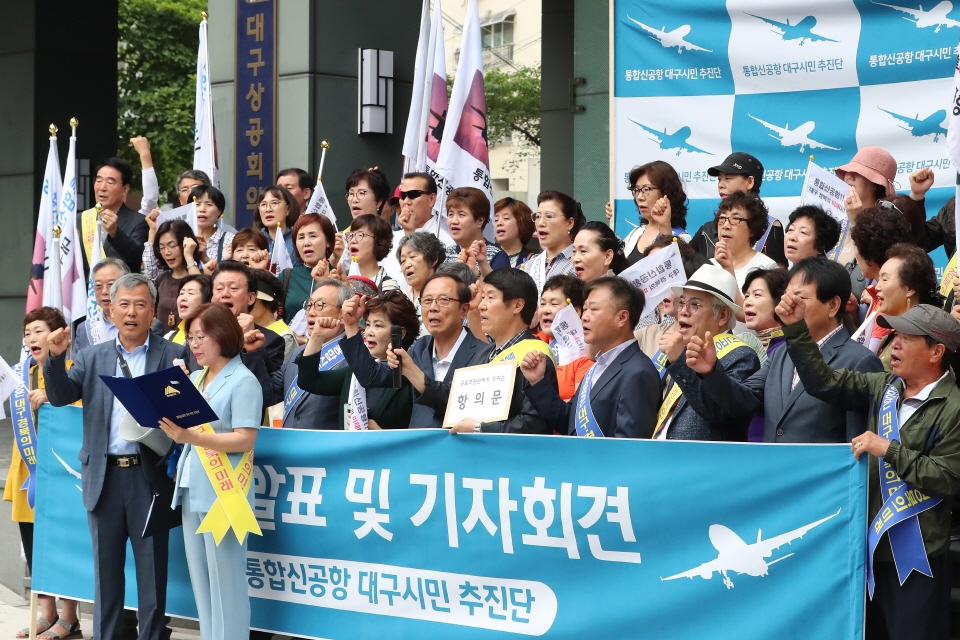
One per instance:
(928,454)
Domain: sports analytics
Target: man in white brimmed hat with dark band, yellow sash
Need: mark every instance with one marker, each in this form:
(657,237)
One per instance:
(706,310)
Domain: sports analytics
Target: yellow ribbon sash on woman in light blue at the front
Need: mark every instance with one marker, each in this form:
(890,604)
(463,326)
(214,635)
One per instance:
(230,510)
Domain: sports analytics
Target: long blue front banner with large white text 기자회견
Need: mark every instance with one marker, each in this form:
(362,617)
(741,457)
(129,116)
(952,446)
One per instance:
(420,534)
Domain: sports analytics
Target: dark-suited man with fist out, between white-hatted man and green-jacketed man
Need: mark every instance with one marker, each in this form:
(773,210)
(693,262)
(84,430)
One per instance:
(791,414)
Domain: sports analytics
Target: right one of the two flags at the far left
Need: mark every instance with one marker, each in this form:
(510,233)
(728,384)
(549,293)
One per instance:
(74,288)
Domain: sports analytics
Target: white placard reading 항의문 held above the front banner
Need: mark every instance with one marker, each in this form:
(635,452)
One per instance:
(482,392)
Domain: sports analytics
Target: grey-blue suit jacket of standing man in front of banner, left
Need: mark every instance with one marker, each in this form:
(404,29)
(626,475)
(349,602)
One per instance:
(82,382)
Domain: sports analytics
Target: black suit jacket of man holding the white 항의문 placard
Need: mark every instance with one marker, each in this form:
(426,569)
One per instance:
(523,417)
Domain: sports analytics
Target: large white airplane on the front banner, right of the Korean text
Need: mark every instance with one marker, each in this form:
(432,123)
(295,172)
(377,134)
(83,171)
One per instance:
(739,557)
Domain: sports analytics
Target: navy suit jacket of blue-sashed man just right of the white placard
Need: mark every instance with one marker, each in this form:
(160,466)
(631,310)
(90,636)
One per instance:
(625,399)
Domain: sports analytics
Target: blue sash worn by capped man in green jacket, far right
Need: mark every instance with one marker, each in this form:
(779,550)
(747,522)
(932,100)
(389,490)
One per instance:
(901,506)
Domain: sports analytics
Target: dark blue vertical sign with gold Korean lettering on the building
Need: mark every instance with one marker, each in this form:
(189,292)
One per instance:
(256,87)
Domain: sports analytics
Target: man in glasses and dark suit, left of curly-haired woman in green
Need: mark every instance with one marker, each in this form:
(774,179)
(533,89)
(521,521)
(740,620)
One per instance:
(309,410)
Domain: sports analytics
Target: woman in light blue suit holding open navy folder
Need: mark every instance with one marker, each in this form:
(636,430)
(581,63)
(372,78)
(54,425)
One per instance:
(217,570)
